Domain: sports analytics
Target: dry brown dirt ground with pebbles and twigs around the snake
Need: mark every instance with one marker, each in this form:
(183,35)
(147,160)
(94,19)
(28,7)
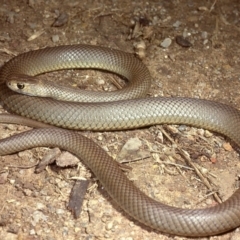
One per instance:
(192,49)
